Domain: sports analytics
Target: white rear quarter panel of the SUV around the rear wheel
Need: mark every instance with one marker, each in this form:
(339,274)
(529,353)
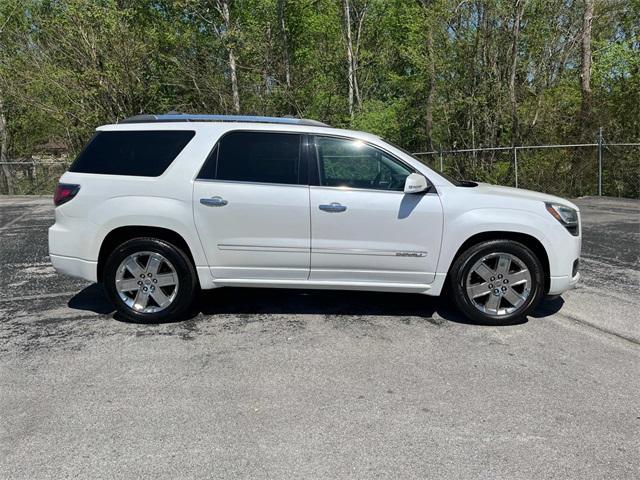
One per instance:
(107,202)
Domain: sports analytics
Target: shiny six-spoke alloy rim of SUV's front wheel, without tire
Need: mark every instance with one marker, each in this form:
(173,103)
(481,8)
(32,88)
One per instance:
(498,284)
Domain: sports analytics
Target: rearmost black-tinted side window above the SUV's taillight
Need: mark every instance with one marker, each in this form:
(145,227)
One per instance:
(137,153)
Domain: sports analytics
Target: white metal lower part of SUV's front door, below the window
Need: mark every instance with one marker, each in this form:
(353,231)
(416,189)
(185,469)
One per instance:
(381,236)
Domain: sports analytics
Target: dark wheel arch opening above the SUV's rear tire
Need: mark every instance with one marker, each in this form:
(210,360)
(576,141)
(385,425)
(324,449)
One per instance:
(119,235)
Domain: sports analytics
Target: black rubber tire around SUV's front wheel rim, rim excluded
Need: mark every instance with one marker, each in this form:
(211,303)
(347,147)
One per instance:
(464,263)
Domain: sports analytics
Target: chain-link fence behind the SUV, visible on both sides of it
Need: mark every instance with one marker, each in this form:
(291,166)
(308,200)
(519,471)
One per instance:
(611,169)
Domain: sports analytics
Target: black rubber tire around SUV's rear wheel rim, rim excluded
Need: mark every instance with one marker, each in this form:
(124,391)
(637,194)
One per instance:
(186,289)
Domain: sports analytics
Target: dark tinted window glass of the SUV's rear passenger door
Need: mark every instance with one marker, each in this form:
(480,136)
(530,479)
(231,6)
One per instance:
(259,157)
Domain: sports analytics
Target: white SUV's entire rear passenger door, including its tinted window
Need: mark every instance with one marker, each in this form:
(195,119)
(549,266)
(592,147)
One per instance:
(251,207)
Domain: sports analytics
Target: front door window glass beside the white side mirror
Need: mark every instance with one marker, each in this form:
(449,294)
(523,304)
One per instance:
(352,163)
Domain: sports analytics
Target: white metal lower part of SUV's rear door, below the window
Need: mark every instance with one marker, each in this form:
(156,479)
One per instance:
(262,231)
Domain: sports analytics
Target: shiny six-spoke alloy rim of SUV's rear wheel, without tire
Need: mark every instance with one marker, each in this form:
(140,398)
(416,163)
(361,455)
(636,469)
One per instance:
(147,282)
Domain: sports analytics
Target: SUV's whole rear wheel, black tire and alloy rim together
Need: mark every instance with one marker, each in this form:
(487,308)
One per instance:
(150,280)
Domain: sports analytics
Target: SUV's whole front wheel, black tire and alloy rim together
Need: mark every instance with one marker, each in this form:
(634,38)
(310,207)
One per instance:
(497,282)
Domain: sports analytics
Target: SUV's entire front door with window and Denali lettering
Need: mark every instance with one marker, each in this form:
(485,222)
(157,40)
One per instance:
(364,228)
